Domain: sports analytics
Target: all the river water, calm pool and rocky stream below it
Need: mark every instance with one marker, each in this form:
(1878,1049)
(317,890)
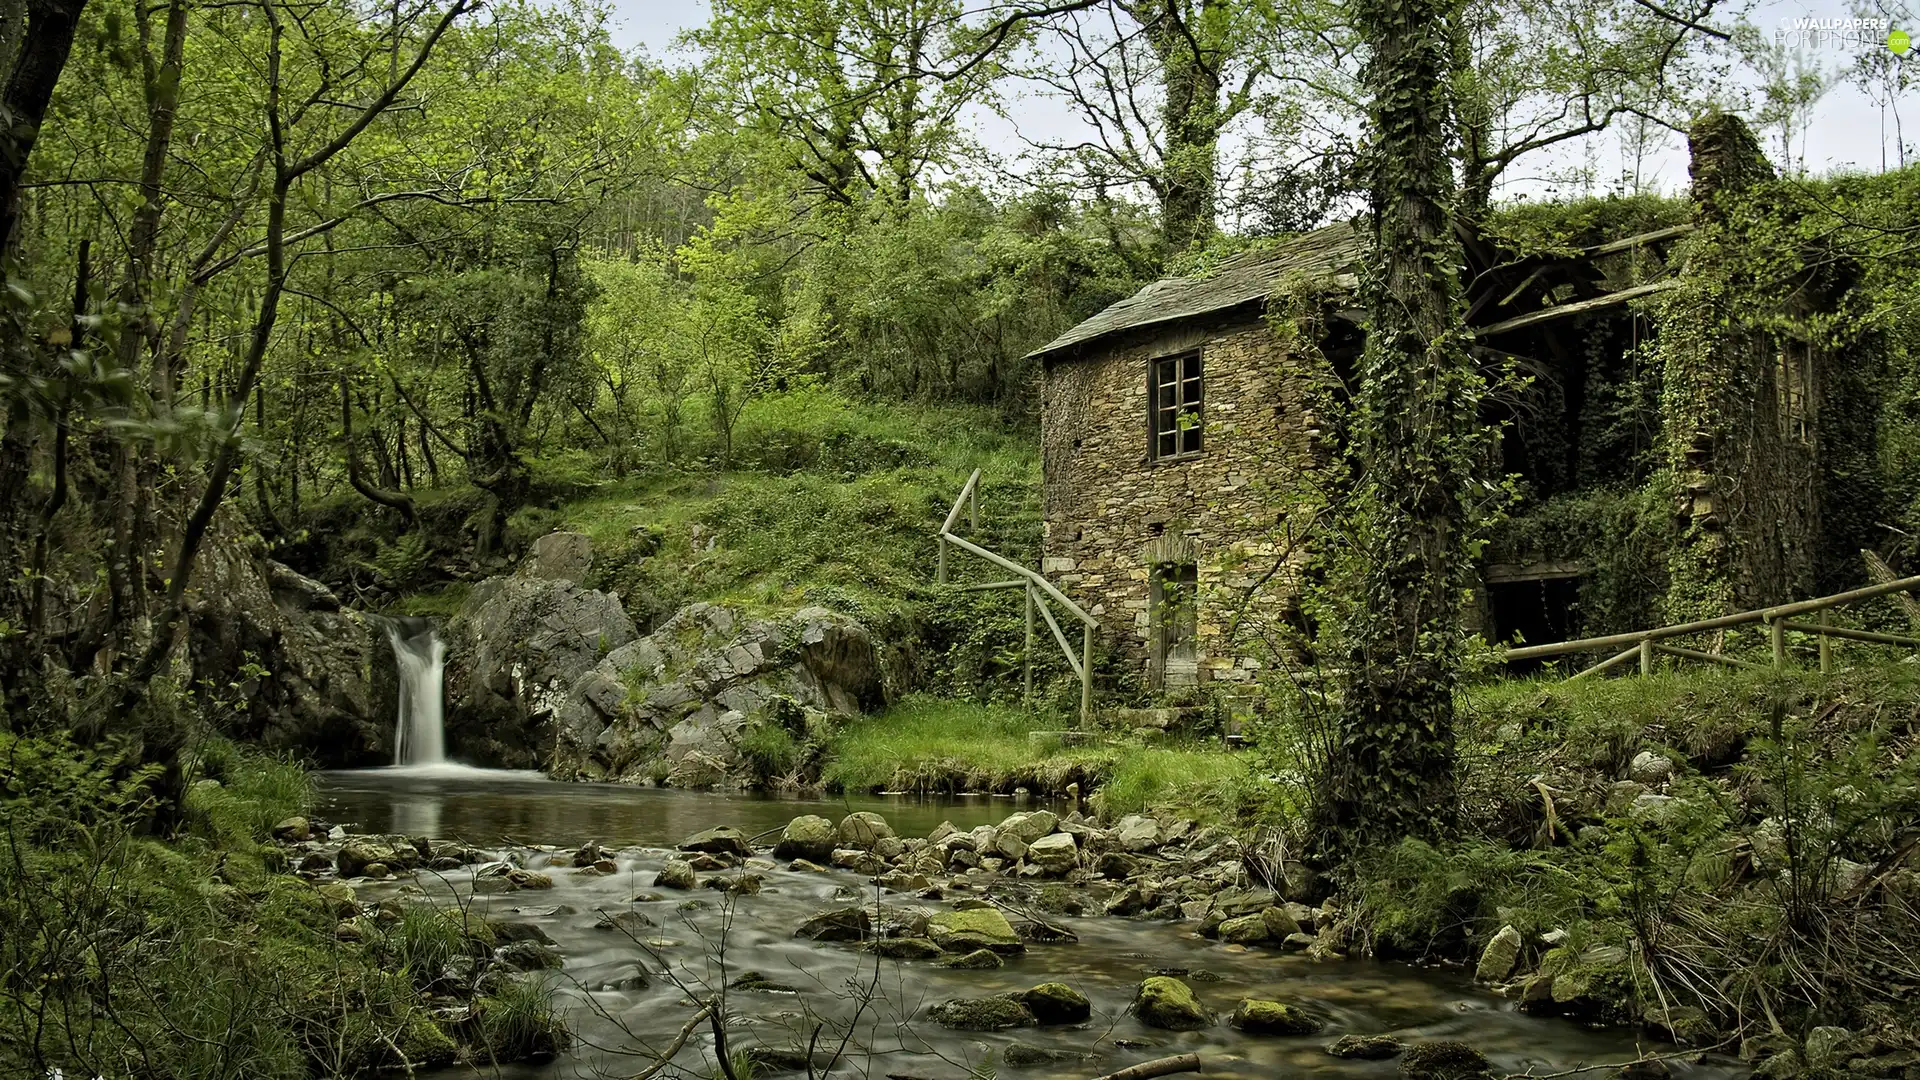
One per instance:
(627,993)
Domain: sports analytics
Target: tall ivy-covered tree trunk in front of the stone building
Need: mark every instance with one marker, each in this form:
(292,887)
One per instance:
(1416,443)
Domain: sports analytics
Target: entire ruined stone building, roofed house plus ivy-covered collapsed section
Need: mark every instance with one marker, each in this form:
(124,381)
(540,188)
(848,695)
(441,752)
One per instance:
(1182,426)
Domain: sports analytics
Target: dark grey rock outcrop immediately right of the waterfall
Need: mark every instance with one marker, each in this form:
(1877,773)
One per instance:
(516,649)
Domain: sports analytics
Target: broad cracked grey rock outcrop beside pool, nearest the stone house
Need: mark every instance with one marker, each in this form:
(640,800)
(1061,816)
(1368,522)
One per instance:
(673,706)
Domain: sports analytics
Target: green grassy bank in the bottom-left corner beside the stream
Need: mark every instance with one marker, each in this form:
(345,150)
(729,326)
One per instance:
(189,952)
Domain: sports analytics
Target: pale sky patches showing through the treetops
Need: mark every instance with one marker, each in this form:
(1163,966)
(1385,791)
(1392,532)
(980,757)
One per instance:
(1848,130)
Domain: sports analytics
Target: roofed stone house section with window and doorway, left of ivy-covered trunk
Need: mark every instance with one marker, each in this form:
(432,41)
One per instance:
(1170,426)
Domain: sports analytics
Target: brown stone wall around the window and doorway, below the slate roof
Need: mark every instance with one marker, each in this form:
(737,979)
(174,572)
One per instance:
(1113,512)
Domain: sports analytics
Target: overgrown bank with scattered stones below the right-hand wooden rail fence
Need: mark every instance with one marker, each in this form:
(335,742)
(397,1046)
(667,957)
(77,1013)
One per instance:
(1725,856)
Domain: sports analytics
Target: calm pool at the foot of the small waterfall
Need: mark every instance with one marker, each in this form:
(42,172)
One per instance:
(492,806)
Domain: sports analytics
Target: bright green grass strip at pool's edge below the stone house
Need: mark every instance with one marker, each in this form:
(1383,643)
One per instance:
(934,745)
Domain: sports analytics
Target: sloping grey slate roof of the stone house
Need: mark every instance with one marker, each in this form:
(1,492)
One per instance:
(1241,280)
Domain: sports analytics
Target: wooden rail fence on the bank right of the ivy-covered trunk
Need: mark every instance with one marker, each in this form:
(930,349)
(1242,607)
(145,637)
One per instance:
(1779,620)
